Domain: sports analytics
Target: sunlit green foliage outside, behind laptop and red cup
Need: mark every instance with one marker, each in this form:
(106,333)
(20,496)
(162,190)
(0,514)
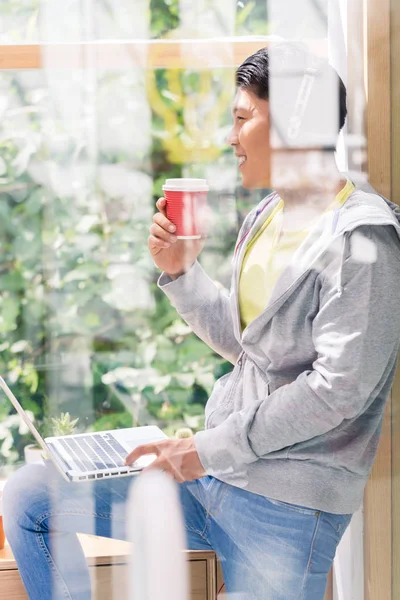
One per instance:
(72,338)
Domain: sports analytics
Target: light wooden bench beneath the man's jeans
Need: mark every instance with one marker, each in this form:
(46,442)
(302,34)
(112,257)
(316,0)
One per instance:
(108,560)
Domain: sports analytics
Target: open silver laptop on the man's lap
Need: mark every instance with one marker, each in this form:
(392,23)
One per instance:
(87,456)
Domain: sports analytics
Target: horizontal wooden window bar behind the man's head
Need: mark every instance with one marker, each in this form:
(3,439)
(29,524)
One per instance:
(152,54)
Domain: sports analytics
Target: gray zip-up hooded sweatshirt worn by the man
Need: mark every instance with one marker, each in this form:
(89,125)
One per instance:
(299,417)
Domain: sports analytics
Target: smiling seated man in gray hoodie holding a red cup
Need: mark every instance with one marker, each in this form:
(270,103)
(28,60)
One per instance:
(292,431)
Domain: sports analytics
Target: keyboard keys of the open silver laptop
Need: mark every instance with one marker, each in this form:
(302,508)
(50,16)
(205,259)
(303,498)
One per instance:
(95,451)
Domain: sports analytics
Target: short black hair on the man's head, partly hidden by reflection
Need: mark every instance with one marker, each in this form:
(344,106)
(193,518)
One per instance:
(255,73)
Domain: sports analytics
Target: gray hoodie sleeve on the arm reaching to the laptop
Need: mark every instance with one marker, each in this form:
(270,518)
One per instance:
(356,335)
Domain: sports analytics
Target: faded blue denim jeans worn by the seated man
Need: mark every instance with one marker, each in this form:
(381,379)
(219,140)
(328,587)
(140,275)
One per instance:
(269,550)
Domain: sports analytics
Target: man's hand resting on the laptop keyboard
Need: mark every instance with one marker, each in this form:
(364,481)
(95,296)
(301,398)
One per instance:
(177,457)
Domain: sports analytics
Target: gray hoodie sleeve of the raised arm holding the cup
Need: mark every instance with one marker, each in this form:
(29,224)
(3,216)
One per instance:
(205,308)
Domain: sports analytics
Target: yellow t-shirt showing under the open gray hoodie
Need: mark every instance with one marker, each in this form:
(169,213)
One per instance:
(268,254)
